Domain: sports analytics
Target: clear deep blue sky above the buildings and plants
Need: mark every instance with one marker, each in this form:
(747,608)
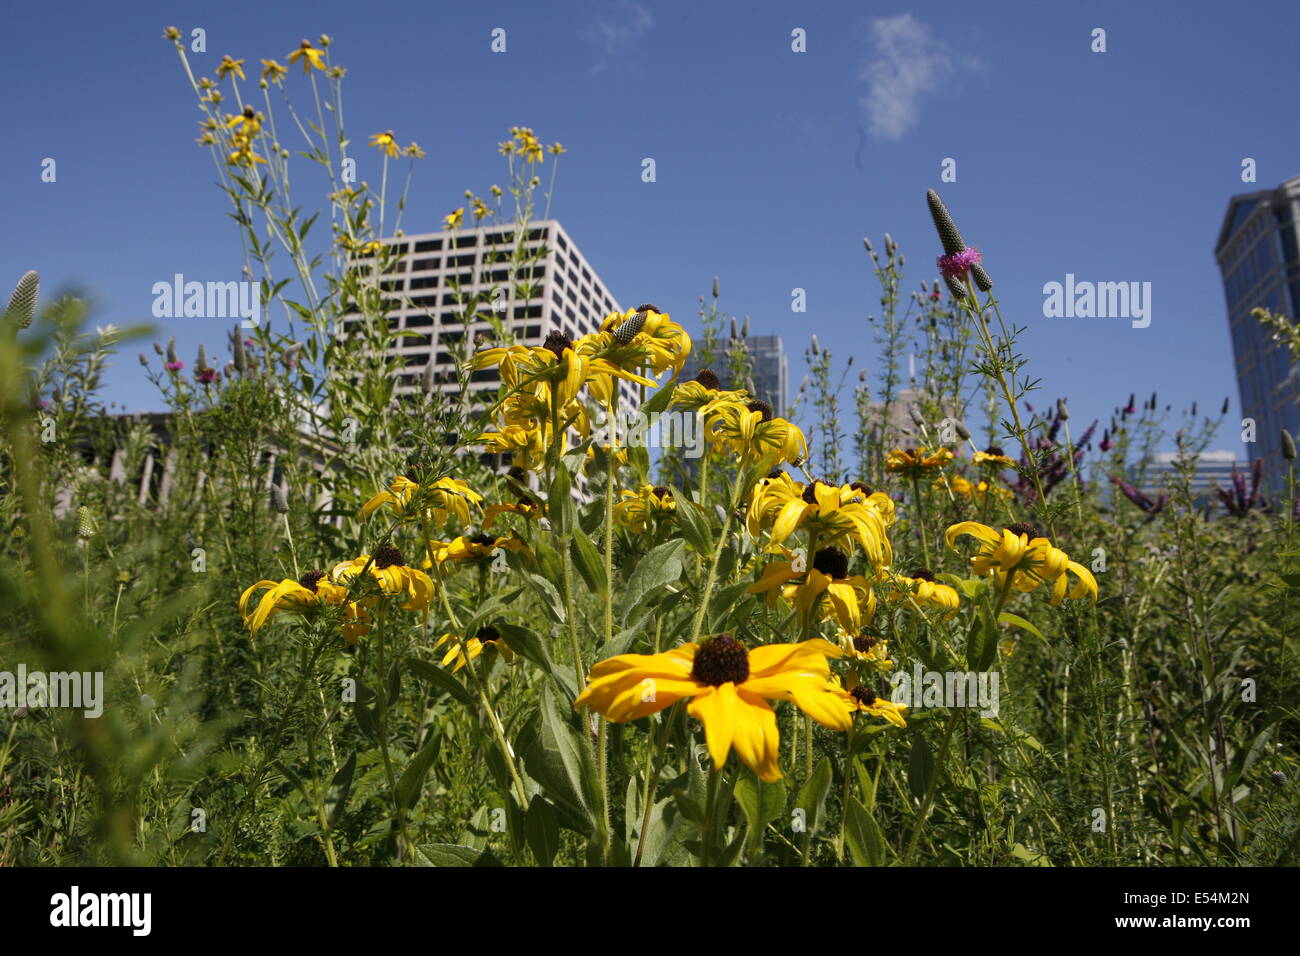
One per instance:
(772,165)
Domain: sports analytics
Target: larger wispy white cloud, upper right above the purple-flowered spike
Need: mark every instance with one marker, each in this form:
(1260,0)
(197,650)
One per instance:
(908,64)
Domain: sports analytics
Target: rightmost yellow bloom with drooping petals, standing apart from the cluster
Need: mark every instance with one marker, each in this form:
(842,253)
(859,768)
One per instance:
(1029,559)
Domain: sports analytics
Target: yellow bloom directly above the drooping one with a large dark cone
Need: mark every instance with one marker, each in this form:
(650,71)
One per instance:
(831,514)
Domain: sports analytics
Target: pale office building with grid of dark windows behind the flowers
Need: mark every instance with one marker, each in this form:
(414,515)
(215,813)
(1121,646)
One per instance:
(436,276)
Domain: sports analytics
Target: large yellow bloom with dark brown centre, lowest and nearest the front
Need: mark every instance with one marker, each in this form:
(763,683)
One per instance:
(729,687)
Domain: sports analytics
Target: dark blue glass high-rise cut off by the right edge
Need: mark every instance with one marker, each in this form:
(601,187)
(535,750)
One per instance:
(1259,257)
